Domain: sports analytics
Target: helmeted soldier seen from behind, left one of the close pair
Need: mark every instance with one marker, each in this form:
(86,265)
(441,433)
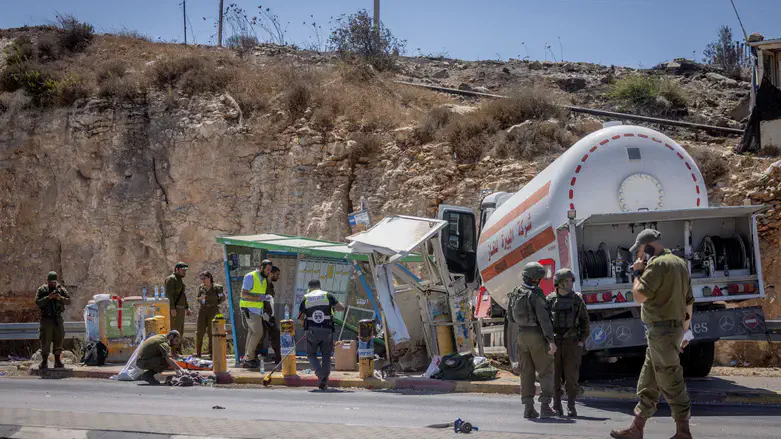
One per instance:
(527,309)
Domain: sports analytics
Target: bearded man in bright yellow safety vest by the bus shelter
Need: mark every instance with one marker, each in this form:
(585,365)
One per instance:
(253,296)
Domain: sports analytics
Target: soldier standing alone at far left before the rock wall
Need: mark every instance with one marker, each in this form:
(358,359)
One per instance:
(51,298)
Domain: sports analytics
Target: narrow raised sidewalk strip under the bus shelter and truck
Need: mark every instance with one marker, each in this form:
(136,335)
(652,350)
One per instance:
(733,389)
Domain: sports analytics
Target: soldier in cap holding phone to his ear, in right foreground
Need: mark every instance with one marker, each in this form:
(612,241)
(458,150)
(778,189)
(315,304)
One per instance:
(663,287)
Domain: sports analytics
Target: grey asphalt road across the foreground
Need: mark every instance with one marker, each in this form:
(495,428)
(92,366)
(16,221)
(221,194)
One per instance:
(102,404)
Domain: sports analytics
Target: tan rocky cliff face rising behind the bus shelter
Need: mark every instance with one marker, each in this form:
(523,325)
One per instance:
(112,194)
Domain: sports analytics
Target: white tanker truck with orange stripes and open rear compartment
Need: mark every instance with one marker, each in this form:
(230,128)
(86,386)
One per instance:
(583,212)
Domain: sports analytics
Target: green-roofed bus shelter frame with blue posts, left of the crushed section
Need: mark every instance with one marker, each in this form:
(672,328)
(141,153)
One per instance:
(261,245)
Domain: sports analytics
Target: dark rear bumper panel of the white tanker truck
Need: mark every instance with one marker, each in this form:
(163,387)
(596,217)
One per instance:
(735,324)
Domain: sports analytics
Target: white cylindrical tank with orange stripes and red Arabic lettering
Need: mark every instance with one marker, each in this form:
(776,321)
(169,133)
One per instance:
(622,168)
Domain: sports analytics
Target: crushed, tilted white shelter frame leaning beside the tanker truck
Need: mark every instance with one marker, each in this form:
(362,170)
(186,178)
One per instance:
(445,299)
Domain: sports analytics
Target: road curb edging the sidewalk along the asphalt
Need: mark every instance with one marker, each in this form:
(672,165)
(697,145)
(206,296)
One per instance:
(439,386)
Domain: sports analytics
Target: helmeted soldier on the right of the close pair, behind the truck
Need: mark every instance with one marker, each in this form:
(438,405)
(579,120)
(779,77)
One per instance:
(571,328)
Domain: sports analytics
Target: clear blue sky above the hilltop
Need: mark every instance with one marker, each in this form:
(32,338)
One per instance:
(621,32)
